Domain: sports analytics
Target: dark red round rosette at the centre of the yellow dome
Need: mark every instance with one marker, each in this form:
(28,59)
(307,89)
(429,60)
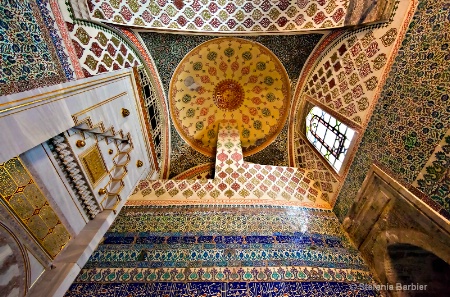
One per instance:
(228,95)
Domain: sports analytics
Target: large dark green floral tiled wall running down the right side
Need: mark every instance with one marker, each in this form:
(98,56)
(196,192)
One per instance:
(413,112)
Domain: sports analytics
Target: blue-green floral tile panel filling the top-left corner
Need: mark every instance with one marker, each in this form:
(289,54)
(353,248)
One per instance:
(28,58)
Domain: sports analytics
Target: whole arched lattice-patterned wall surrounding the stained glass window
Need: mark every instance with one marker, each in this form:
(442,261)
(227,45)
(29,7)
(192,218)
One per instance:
(344,77)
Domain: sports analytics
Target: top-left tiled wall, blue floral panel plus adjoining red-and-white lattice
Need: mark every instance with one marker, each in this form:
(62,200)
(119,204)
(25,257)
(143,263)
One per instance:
(38,50)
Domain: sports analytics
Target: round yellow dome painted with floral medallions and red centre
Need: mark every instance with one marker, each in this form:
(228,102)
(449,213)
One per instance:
(233,79)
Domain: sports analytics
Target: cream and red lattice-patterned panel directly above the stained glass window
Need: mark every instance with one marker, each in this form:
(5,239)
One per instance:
(346,77)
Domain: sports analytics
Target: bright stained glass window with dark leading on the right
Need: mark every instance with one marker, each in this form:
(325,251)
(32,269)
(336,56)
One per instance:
(331,137)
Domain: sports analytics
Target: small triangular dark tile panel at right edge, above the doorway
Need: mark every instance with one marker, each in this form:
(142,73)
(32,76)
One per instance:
(434,179)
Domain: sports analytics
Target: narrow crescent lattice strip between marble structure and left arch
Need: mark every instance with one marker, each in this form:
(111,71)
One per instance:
(152,104)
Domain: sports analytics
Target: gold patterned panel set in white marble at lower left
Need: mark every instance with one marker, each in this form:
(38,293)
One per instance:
(21,194)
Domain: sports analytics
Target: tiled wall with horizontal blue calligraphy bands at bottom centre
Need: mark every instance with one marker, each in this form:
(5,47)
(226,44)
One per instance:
(223,251)
